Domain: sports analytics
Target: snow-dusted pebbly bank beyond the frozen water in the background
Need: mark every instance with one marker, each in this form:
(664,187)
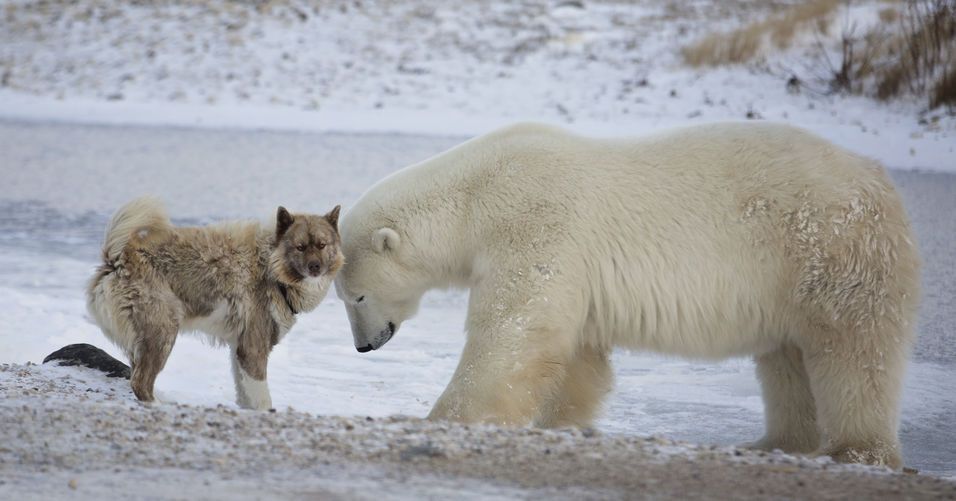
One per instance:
(421,66)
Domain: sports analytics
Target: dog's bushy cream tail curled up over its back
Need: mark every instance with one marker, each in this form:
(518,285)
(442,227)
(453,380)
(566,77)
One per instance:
(134,221)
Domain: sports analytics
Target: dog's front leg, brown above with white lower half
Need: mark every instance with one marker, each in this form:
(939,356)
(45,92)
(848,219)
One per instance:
(249,359)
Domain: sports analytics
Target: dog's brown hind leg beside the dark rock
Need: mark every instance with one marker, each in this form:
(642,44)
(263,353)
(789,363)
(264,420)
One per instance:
(155,329)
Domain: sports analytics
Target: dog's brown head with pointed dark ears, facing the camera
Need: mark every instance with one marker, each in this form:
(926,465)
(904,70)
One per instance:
(307,246)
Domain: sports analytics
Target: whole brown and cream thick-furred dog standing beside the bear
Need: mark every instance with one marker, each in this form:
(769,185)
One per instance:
(240,283)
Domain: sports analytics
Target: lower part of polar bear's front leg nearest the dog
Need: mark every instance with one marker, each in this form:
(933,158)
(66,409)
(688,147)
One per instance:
(505,376)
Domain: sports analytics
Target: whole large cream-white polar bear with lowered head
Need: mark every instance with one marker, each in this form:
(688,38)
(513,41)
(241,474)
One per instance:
(708,242)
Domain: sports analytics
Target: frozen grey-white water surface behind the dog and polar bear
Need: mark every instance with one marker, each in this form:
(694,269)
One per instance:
(62,182)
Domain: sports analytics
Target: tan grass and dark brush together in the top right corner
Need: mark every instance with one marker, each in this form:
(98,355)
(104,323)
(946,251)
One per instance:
(910,52)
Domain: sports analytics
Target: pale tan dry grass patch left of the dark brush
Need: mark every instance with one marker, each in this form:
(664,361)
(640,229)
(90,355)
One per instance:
(742,45)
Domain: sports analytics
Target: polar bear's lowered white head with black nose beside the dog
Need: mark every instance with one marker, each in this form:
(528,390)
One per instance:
(381,282)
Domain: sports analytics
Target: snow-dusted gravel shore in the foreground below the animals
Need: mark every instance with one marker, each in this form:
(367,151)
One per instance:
(69,433)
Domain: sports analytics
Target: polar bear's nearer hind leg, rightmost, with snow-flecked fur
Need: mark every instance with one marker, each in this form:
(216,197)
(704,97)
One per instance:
(861,300)
